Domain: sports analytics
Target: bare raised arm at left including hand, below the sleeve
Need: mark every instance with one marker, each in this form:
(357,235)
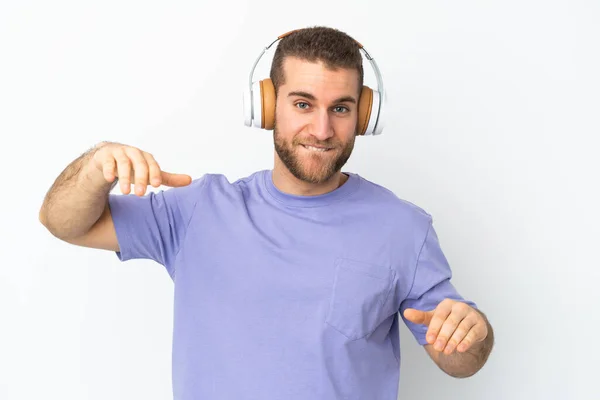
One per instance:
(76,208)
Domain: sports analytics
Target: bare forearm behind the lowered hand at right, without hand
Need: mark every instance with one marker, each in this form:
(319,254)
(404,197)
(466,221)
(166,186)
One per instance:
(466,364)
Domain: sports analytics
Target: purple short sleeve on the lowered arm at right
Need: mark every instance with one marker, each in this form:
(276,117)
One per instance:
(431,283)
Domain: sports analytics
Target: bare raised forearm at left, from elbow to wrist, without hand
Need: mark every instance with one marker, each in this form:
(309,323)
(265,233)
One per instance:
(76,199)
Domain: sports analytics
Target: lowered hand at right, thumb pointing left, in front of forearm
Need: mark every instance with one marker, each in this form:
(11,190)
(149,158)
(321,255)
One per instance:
(452,325)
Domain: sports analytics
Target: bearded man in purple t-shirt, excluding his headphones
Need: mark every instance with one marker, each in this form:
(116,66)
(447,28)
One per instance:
(289,282)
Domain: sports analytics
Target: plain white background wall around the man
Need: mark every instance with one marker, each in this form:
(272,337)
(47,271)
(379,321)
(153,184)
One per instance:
(492,128)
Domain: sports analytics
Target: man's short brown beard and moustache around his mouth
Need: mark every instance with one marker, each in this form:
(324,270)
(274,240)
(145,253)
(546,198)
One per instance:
(312,167)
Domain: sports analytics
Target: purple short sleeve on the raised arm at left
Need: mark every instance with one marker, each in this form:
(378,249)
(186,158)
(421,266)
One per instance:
(154,226)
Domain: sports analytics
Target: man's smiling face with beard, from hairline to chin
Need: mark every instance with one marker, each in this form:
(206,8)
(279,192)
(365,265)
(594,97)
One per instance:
(315,119)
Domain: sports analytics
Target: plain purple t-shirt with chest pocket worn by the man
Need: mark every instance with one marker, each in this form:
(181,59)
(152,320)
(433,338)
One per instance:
(280,296)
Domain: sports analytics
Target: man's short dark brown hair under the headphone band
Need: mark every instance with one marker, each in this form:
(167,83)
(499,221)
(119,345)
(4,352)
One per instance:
(334,48)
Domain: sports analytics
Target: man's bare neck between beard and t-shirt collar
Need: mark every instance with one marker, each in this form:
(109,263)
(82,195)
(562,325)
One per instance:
(285,181)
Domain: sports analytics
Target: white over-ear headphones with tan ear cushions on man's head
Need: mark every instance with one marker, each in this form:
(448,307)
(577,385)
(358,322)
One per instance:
(259,100)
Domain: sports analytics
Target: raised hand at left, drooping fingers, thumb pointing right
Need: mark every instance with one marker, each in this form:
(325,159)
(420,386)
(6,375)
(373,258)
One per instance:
(130,165)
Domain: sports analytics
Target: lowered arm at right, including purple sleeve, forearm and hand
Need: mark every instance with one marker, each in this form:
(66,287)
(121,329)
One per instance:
(466,337)
